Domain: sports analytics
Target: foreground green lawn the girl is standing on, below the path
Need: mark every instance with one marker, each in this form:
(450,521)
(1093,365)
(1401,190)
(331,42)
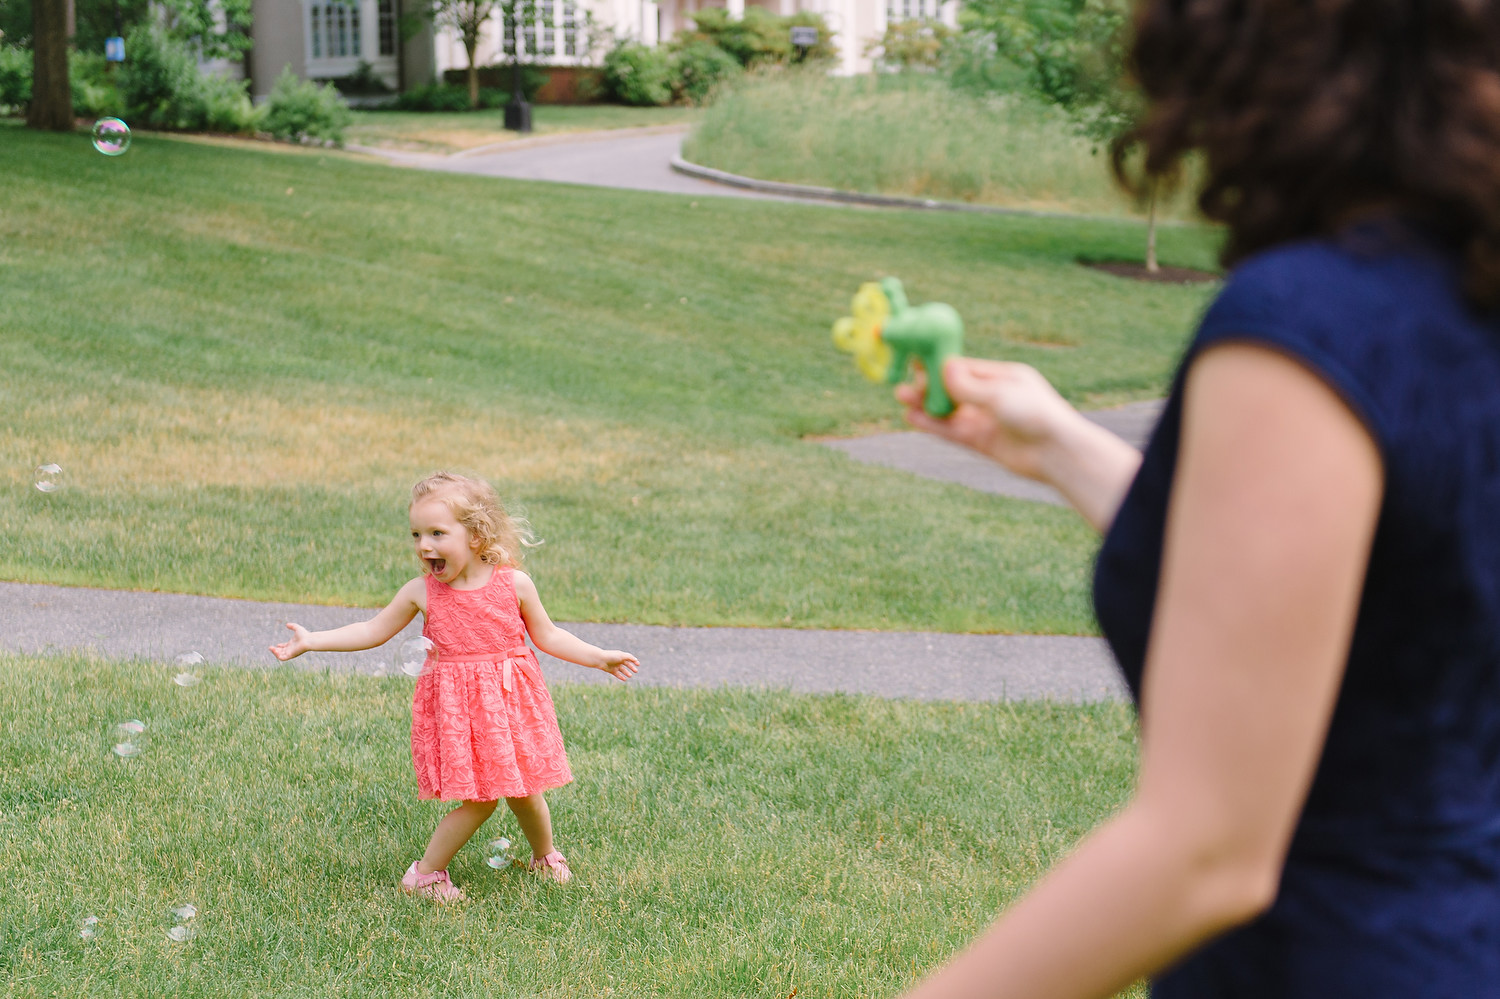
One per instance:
(725,844)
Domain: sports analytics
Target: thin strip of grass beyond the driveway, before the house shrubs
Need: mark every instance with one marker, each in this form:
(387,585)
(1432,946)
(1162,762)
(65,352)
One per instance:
(448,133)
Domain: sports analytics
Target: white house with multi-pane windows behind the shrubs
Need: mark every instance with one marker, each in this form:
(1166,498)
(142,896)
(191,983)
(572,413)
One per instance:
(325,40)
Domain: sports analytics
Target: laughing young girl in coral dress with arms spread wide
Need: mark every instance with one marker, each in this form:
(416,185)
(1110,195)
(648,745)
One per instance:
(482,719)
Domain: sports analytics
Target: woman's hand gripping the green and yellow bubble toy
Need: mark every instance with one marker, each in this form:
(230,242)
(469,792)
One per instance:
(1004,410)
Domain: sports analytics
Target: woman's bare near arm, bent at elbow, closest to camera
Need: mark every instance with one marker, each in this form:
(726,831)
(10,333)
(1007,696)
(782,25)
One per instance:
(1268,538)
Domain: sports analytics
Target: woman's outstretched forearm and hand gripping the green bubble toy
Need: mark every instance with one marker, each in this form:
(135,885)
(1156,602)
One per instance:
(1013,416)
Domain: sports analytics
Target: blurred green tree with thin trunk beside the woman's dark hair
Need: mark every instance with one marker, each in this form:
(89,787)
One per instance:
(1075,55)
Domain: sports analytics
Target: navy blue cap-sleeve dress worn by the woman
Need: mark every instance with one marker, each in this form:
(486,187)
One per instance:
(1393,881)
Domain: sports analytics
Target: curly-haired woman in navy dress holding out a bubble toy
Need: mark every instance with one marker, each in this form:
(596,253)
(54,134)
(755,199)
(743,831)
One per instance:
(1301,577)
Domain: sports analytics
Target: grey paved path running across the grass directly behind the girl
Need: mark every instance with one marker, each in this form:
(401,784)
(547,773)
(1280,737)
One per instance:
(928,667)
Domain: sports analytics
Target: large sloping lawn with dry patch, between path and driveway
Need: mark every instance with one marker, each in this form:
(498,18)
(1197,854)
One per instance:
(245,358)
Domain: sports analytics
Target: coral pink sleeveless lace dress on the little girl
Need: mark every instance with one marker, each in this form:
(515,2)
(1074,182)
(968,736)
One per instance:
(482,719)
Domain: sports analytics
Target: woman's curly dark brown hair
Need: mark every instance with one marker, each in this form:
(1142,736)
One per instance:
(1310,110)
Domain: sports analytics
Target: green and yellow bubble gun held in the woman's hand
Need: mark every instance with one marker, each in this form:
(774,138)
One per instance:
(886,335)
